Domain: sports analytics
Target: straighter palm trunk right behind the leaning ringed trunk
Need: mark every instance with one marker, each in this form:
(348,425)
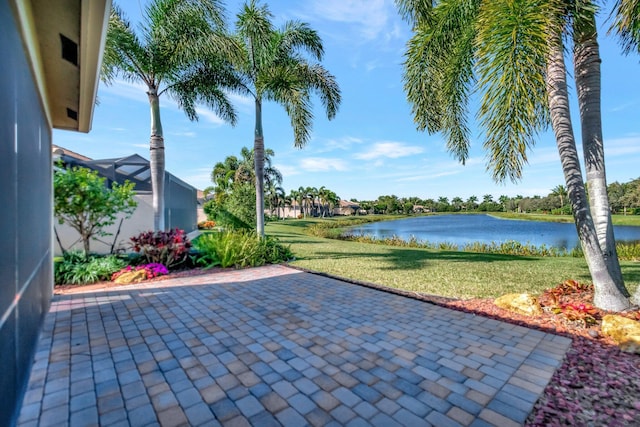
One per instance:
(587,74)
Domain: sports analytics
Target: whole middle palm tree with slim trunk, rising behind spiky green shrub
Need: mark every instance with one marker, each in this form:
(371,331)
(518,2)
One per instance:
(273,68)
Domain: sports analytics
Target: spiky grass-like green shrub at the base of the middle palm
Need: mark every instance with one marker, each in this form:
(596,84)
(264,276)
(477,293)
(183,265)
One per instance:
(239,248)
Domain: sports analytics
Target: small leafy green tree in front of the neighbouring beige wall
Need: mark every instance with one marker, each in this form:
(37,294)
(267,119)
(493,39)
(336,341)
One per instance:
(83,201)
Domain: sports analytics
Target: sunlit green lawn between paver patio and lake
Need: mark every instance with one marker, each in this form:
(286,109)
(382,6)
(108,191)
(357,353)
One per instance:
(444,273)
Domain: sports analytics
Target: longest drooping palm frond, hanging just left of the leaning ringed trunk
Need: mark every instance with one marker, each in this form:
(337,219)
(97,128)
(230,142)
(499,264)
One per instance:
(512,53)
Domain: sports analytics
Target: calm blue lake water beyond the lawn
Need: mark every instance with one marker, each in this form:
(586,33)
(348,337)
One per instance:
(463,229)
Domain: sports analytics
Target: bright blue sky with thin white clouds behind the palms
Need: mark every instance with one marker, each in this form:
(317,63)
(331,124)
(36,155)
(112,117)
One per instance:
(371,148)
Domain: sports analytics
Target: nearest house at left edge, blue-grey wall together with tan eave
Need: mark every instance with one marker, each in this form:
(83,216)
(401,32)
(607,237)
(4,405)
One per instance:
(51,53)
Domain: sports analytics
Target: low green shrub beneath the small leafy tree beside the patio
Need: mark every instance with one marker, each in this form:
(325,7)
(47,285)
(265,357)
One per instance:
(76,269)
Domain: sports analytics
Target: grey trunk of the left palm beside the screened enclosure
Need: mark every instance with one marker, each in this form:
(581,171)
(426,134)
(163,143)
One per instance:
(156,161)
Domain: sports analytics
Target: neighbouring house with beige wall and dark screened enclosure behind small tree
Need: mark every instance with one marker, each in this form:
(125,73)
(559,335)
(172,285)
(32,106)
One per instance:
(180,201)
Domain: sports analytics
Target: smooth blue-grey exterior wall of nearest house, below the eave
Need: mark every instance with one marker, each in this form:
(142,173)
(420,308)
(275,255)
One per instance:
(26,278)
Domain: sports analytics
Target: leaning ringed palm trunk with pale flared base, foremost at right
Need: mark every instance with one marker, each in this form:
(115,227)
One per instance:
(607,295)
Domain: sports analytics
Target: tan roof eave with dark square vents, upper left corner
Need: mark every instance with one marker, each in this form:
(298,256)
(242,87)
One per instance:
(68,88)
